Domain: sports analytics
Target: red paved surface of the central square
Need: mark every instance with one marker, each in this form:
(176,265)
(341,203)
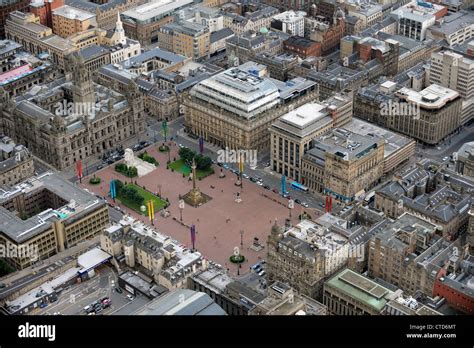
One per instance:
(218,222)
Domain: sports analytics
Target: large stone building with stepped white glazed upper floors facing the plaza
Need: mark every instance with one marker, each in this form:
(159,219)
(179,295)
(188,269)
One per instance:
(228,109)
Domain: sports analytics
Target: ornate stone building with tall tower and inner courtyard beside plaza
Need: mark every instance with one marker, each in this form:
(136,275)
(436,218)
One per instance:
(99,120)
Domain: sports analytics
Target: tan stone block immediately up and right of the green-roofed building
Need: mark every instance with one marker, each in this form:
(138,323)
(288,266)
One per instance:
(410,254)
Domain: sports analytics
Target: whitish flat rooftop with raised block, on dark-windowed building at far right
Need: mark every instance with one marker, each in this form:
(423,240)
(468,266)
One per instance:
(432,97)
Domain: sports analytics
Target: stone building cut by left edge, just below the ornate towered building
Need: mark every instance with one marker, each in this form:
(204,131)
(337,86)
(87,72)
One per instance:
(16,162)
